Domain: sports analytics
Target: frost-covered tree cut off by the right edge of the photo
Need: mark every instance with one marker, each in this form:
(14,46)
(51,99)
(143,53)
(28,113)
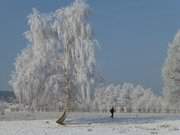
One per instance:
(171,74)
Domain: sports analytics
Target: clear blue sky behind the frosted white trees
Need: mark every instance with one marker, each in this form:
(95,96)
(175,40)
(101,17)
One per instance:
(133,34)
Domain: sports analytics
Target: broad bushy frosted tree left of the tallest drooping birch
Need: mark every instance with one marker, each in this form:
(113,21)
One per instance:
(38,78)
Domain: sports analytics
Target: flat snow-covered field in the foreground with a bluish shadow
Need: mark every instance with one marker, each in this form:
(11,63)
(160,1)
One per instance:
(90,124)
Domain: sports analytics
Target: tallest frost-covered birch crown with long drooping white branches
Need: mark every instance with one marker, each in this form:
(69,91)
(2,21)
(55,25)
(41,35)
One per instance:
(76,35)
